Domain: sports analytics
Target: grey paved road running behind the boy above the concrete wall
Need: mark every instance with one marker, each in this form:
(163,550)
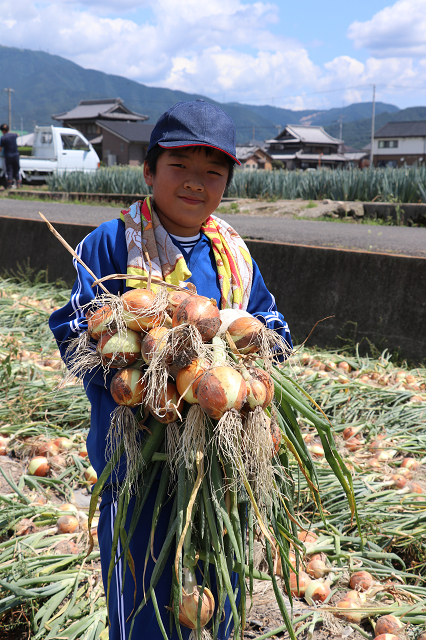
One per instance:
(382,239)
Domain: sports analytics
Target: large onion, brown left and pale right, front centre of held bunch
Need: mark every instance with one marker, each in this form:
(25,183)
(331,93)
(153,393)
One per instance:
(221,389)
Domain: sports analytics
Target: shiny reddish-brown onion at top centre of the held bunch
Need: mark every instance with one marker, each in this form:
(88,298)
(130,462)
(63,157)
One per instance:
(201,312)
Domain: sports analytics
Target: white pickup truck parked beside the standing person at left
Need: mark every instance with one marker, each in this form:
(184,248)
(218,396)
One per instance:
(55,149)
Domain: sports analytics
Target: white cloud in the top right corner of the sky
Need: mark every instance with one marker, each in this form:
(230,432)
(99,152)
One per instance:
(398,30)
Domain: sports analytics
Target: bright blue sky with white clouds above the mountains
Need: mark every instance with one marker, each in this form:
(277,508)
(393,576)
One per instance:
(297,55)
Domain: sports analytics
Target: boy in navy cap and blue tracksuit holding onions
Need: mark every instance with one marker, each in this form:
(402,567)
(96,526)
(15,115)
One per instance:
(189,163)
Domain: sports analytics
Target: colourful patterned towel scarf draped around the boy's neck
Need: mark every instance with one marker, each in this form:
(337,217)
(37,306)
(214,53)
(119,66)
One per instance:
(233,260)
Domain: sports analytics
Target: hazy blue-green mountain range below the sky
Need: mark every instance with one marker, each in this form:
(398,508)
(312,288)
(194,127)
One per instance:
(45,84)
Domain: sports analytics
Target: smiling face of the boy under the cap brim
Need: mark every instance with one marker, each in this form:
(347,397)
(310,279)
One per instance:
(187,187)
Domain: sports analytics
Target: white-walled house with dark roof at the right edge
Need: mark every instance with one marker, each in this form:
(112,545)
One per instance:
(400,143)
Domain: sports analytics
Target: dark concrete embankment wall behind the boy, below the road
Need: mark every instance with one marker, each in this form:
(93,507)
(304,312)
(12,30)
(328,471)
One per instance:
(373,297)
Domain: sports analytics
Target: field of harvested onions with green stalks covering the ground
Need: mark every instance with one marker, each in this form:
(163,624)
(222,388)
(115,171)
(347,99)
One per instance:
(49,588)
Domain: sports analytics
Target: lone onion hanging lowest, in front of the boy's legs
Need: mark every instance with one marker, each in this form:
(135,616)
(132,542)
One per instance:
(188,608)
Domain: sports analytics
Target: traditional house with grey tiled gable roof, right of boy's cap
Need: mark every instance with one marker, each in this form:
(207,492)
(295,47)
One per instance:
(306,147)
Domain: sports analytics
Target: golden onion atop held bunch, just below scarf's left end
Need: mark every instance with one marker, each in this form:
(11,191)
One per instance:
(140,311)
